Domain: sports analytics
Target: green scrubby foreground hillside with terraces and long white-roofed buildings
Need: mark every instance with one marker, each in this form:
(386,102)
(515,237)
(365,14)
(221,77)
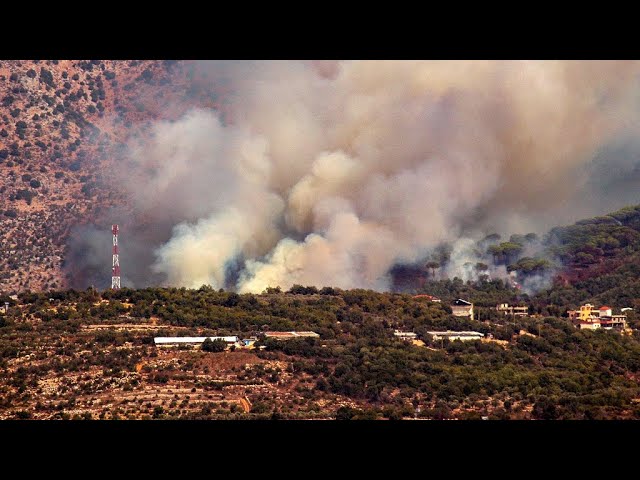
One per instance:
(71,354)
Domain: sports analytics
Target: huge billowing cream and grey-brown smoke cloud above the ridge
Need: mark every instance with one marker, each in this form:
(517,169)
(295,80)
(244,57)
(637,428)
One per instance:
(332,172)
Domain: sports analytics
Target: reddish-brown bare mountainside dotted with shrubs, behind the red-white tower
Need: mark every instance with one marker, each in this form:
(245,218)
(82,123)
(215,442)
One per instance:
(63,129)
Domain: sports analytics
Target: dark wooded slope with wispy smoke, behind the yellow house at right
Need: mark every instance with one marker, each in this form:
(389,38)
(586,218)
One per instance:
(594,260)
